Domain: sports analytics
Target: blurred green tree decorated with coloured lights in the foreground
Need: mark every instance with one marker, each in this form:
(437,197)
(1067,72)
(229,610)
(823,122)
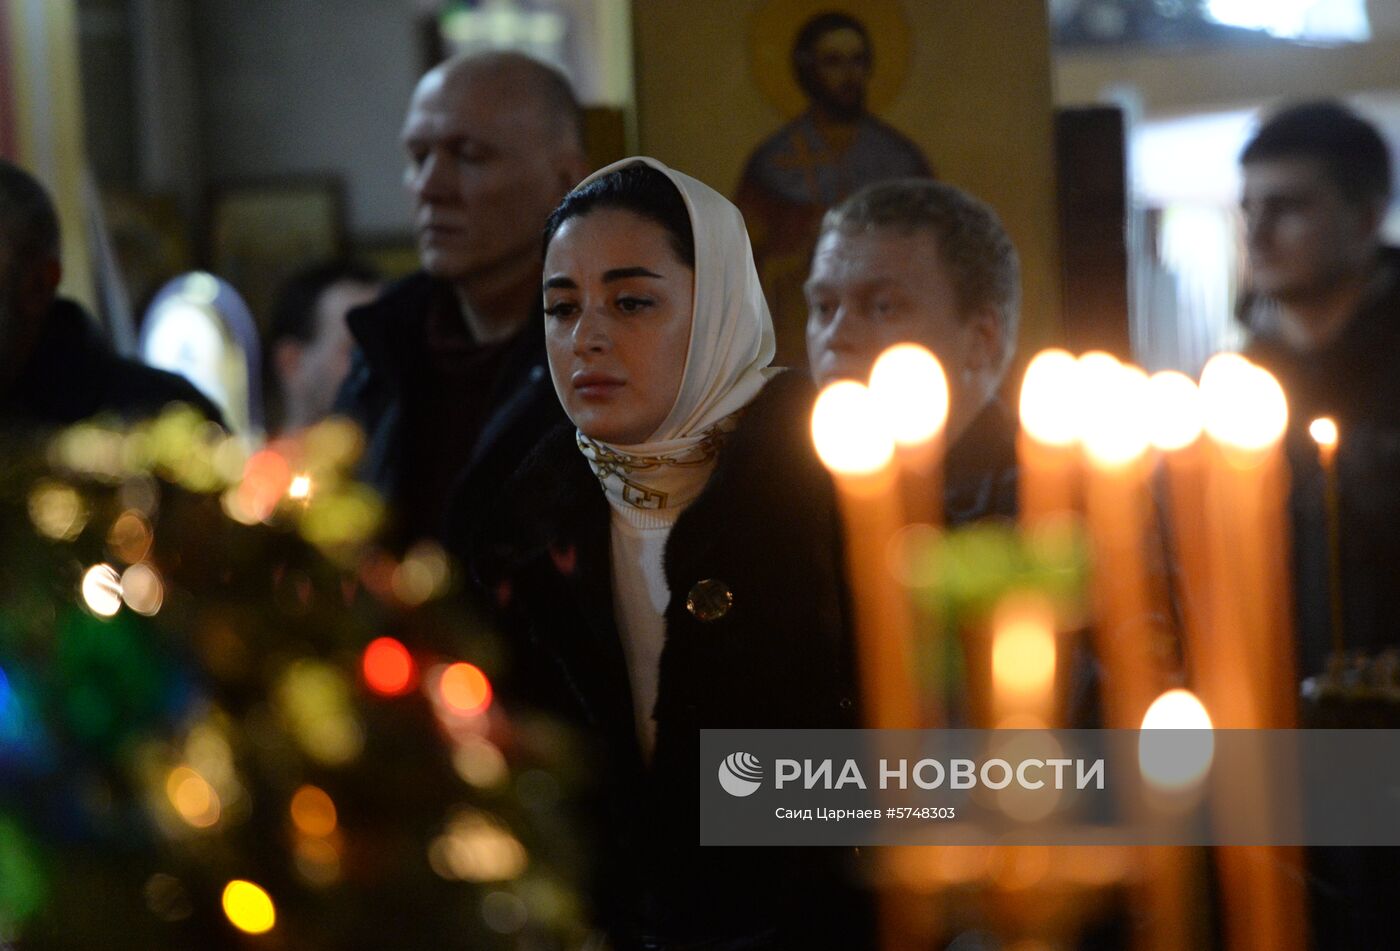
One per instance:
(229,718)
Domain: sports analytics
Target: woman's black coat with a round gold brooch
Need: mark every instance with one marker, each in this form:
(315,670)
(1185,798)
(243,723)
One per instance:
(766,529)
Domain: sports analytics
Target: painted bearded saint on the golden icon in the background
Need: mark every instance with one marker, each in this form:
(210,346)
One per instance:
(831,149)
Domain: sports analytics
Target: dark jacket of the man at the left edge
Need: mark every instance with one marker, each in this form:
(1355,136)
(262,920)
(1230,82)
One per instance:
(75,375)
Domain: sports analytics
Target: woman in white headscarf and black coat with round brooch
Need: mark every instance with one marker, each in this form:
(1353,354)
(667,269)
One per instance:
(674,558)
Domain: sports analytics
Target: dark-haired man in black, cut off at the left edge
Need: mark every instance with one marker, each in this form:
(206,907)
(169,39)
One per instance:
(55,368)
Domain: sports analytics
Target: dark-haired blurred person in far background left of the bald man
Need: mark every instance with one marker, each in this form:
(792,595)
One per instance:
(309,347)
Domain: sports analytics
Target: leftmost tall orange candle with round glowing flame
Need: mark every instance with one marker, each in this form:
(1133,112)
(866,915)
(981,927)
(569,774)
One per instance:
(857,446)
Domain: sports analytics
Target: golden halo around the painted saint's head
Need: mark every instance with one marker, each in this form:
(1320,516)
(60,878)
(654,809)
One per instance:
(773,29)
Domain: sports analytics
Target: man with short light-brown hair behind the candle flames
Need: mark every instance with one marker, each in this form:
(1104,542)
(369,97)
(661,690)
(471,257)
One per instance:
(925,263)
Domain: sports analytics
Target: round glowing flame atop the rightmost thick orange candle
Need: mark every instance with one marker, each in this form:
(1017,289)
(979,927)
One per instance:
(1244,405)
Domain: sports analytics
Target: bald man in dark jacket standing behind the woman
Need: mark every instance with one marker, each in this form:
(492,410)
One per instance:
(450,380)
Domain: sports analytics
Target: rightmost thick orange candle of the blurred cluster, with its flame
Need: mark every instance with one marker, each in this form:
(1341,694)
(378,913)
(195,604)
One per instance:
(1245,665)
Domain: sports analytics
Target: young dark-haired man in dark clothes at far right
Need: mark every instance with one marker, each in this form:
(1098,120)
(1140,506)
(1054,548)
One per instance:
(1324,314)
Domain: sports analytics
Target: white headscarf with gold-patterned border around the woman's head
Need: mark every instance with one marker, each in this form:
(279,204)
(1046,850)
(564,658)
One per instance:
(727,362)
